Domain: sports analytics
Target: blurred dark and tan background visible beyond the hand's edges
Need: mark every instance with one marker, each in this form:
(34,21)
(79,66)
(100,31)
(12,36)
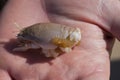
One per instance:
(115,58)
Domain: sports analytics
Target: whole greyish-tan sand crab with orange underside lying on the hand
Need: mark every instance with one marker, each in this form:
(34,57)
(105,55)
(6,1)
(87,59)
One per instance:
(52,38)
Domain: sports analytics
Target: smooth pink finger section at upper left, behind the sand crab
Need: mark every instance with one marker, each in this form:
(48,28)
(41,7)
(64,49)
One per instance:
(22,12)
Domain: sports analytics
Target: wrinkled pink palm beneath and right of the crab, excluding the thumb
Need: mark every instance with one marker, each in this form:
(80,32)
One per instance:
(89,61)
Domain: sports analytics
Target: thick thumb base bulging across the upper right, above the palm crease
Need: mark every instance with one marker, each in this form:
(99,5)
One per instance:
(98,12)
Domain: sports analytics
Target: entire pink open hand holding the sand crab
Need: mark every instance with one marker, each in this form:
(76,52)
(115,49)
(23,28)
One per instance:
(97,20)
